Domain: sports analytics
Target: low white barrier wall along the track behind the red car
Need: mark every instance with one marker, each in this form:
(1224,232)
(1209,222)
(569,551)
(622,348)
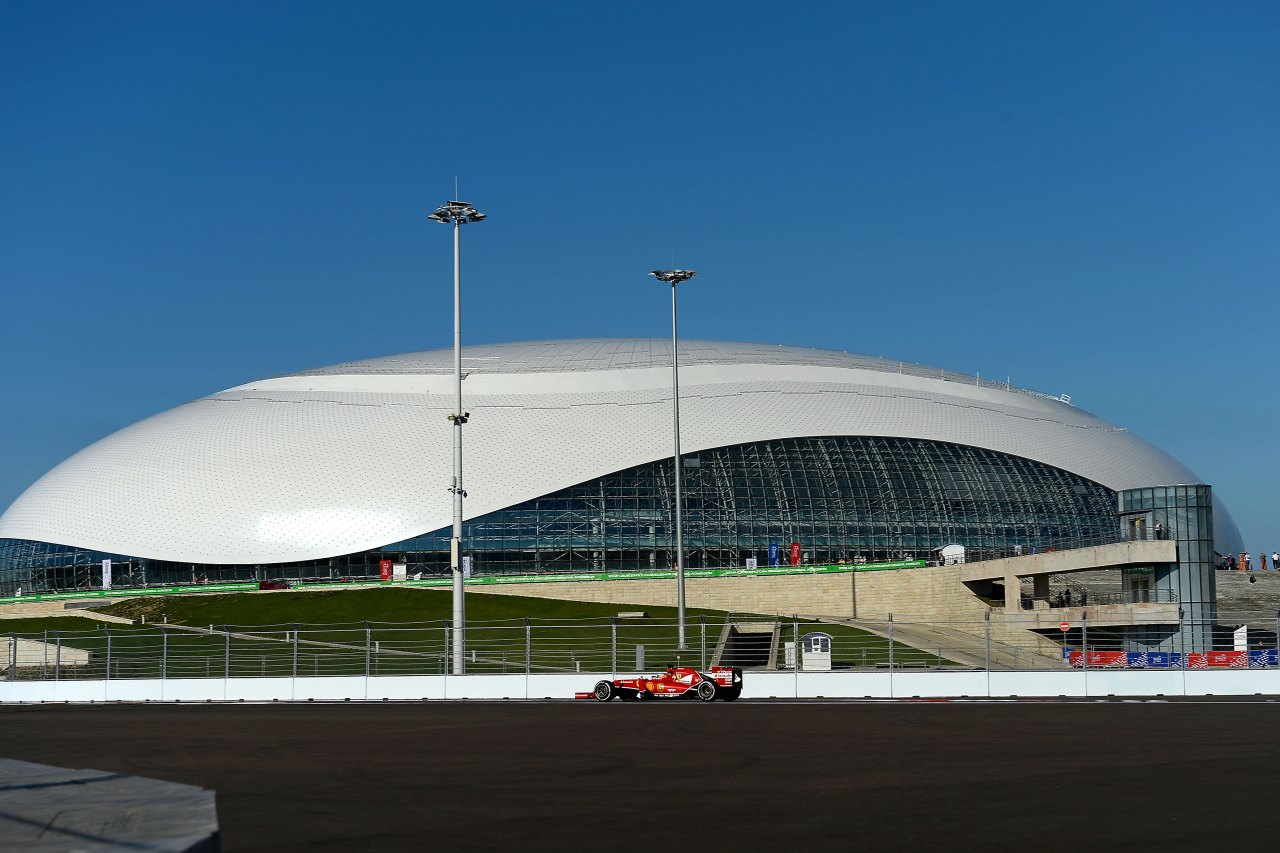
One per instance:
(757,686)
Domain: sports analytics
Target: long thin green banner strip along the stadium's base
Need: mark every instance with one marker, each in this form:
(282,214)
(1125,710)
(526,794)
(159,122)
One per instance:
(578,577)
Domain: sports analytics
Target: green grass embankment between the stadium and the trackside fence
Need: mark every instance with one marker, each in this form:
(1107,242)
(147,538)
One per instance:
(401,632)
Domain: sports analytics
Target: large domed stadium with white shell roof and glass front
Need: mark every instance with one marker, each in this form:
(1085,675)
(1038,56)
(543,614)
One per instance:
(327,473)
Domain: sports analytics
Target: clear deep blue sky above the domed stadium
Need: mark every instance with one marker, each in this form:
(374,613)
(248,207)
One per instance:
(1085,198)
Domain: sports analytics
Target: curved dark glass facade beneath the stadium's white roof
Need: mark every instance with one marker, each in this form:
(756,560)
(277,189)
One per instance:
(842,499)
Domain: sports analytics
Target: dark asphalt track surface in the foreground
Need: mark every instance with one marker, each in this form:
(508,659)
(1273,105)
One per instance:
(747,777)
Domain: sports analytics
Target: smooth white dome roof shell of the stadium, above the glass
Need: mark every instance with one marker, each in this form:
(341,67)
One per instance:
(355,457)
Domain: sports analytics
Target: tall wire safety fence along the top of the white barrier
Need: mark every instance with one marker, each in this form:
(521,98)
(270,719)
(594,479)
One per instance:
(1164,640)
